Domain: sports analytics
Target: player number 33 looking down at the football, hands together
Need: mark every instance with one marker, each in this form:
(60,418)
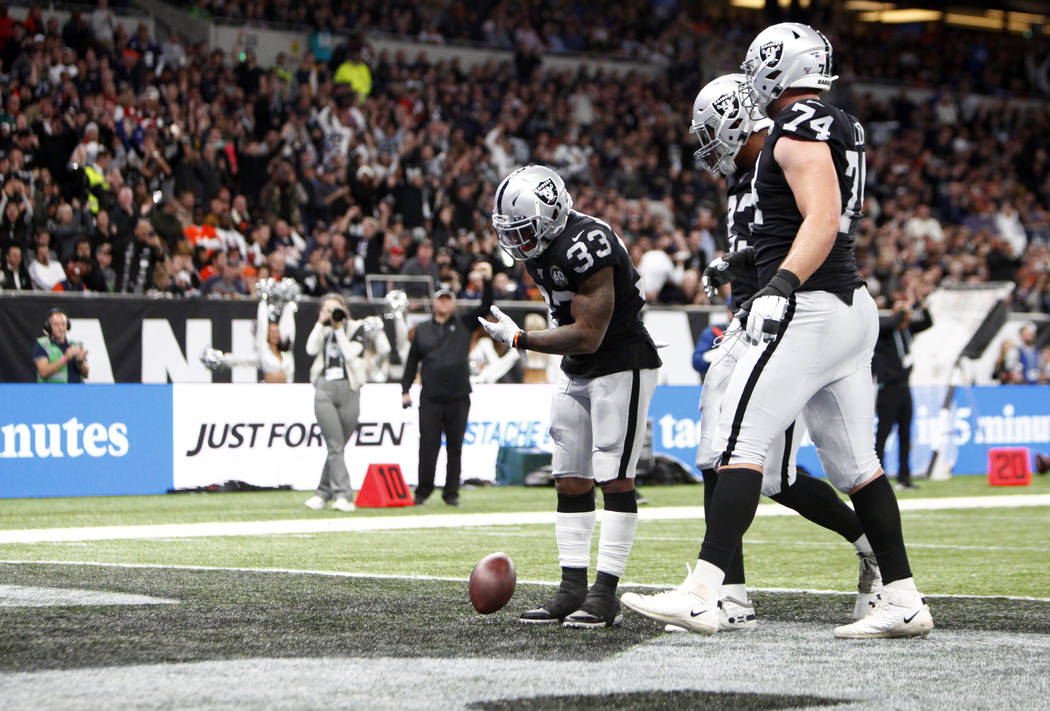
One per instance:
(599,410)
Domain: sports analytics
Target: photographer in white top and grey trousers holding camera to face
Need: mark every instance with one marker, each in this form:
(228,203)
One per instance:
(338,344)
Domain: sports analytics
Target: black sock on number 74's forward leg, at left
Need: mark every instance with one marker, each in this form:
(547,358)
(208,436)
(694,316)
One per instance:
(730,514)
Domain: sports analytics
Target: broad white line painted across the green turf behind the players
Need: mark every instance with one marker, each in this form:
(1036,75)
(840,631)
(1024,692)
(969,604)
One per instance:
(358,525)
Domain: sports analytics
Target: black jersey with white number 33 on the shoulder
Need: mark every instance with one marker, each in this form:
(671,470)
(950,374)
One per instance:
(585,247)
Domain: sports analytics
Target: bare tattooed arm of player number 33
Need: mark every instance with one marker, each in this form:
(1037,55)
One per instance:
(592,311)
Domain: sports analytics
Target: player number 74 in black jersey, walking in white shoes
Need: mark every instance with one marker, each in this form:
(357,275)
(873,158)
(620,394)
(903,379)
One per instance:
(812,328)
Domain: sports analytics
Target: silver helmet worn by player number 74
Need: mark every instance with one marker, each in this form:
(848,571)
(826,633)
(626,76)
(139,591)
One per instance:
(786,56)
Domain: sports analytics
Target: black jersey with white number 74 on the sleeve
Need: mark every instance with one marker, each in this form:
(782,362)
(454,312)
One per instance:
(778,219)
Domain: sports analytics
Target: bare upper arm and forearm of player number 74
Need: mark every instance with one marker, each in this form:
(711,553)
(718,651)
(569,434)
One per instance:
(810,173)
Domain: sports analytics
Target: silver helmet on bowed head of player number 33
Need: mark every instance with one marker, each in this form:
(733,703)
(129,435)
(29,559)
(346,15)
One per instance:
(531,208)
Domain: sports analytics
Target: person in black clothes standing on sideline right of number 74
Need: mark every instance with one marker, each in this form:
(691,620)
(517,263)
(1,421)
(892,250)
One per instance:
(892,366)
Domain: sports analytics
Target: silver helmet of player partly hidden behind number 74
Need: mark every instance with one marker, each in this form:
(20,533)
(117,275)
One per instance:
(722,123)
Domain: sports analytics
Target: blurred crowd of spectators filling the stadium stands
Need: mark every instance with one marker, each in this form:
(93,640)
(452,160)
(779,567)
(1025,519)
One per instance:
(142,164)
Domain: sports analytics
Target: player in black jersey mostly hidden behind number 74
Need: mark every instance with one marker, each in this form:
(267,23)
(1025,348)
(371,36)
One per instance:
(730,143)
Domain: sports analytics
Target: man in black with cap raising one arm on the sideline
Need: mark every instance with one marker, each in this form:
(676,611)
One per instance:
(443,346)
